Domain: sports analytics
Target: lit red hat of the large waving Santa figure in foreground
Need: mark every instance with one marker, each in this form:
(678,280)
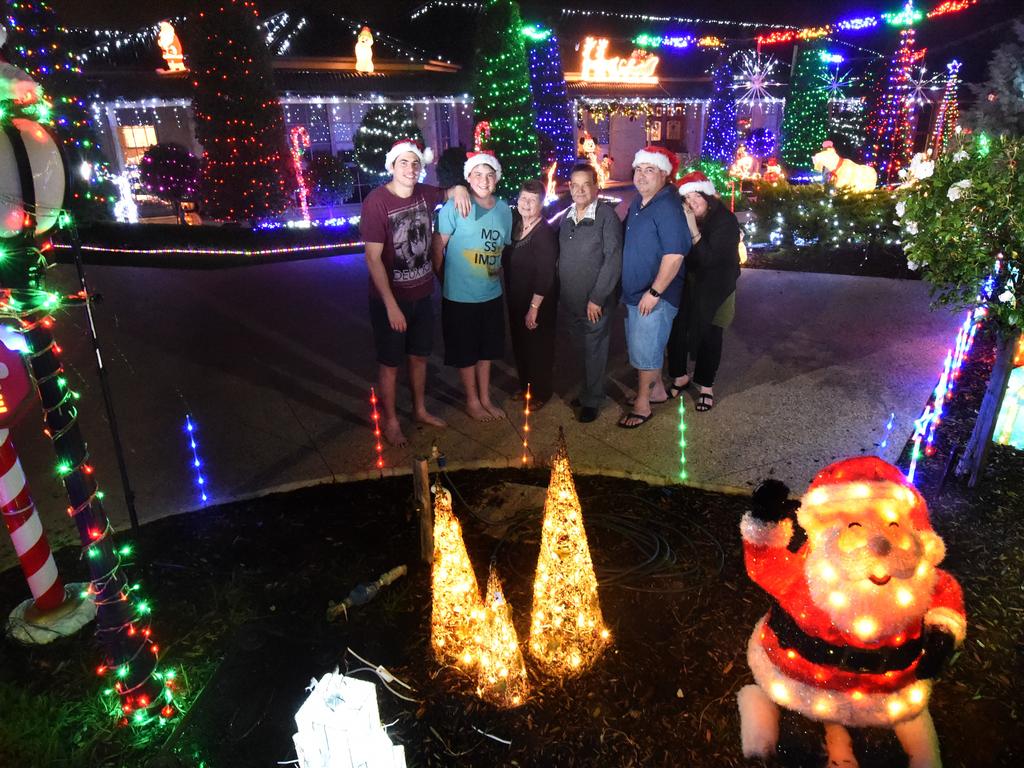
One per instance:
(864,481)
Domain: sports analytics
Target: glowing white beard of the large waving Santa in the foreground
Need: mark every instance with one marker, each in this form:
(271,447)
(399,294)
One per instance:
(839,584)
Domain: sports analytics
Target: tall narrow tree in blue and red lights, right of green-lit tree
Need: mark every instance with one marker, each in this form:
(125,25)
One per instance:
(889,131)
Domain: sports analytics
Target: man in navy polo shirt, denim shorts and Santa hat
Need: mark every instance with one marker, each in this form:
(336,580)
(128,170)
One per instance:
(656,242)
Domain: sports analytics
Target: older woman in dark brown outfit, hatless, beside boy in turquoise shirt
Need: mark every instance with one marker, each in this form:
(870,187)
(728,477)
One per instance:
(532,294)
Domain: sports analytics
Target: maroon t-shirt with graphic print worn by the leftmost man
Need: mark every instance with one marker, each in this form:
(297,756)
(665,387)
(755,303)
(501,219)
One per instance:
(405,227)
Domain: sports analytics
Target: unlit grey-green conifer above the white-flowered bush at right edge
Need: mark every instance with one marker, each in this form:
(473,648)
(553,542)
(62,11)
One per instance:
(1000,101)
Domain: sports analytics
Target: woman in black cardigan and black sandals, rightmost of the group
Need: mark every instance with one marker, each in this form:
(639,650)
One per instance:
(709,296)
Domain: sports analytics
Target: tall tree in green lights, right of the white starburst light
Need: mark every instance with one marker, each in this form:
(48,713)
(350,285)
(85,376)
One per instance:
(806,119)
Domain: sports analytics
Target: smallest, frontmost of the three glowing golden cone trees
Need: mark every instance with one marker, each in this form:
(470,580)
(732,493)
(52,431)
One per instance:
(502,674)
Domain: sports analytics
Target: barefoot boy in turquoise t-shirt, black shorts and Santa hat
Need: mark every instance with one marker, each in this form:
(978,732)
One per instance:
(471,251)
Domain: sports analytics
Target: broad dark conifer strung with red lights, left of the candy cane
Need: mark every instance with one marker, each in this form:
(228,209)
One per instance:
(239,120)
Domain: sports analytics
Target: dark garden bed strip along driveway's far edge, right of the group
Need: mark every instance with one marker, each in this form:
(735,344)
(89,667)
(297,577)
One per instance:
(865,263)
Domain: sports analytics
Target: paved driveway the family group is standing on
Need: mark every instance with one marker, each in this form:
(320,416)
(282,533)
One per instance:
(275,364)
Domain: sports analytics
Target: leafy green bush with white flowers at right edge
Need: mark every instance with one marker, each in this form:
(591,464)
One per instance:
(963,218)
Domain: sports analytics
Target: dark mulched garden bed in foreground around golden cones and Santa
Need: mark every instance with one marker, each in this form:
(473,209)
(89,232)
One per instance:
(240,593)
